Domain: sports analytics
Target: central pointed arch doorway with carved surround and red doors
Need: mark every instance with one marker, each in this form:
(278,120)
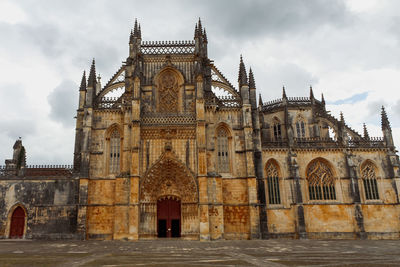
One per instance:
(169,200)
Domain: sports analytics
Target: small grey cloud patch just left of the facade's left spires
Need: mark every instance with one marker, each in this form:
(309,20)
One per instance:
(62,101)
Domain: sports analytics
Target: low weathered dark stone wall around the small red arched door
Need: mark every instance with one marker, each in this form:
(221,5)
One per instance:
(49,203)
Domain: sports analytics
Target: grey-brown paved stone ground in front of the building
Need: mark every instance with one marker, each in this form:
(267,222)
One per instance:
(194,253)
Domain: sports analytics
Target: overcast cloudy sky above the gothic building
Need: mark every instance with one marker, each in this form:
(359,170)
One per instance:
(349,50)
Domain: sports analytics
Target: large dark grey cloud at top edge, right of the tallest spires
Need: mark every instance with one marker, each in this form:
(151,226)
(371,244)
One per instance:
(270,17)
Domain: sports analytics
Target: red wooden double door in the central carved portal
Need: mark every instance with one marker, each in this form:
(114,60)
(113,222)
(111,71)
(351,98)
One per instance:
(169,217)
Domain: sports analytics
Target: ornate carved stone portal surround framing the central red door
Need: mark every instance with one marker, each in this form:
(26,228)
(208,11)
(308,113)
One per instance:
(169,178)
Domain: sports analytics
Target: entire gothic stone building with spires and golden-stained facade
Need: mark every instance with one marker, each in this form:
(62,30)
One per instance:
(178,151)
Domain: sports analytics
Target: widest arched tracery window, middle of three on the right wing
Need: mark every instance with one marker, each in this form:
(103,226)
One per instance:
(320,181)
